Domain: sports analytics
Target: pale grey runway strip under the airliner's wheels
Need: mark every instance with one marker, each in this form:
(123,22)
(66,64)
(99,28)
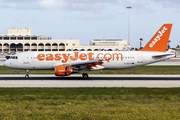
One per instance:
(158,81)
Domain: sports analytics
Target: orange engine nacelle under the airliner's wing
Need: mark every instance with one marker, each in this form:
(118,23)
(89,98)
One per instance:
(63,70)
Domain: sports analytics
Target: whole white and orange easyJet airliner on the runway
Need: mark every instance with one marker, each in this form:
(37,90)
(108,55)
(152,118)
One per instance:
(67,62)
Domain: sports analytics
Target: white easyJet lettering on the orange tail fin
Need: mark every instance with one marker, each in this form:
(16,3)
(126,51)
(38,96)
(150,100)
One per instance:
(158,37)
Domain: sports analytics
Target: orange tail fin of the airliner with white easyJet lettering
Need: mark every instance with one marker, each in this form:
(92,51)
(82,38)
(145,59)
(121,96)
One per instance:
(160,40)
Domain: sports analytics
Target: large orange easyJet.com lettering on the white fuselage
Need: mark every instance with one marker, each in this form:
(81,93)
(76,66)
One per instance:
(64,57)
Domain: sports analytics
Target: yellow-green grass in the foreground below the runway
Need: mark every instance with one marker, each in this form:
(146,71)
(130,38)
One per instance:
(89,103)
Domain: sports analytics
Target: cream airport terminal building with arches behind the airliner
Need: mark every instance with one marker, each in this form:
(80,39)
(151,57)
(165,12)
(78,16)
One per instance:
(22,40)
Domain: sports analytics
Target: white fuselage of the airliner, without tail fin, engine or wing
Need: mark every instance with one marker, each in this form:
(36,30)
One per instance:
(110,59)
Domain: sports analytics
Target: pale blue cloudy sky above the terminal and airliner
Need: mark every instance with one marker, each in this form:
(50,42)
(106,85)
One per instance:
(92,19)
